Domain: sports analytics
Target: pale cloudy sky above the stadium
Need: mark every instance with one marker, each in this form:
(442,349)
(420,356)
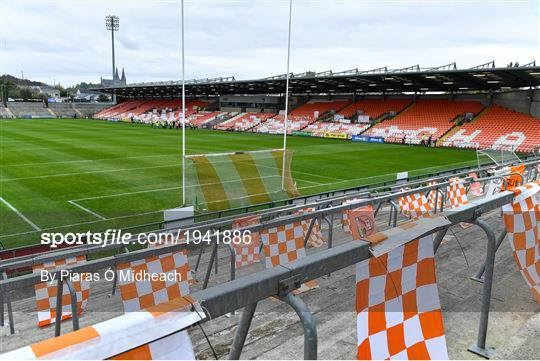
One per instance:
(66,41)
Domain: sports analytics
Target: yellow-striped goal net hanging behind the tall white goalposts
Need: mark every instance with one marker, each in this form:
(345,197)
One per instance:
(231,180)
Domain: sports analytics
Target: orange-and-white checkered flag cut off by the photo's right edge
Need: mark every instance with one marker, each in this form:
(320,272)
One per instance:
(522,221)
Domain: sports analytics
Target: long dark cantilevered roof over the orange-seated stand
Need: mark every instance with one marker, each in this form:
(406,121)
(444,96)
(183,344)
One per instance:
(445,78)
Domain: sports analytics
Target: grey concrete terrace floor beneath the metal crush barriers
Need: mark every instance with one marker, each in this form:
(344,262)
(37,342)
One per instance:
(514,324)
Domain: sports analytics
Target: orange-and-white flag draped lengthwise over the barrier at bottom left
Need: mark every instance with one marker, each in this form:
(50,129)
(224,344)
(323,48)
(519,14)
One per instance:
(153,334)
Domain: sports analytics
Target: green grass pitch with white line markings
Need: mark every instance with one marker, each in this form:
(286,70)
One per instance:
(71,175)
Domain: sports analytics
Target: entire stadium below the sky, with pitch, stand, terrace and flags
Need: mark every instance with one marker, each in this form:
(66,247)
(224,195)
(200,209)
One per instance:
(366,213)
